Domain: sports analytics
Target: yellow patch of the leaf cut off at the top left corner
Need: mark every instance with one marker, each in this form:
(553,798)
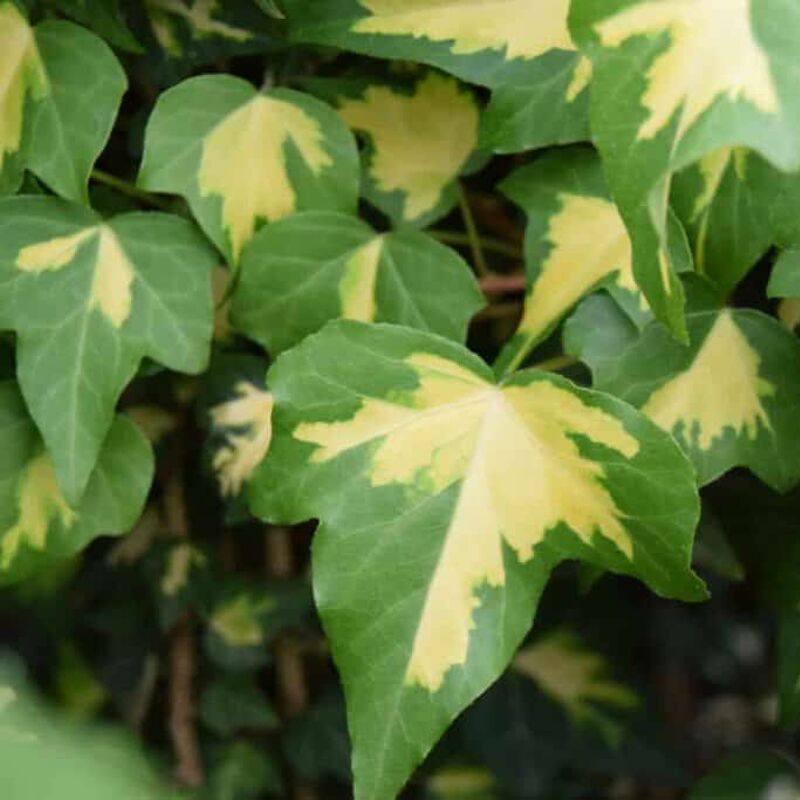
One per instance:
(21,72)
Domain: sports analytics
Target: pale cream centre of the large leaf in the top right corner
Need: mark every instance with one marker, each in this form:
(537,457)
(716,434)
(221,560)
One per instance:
(712,53)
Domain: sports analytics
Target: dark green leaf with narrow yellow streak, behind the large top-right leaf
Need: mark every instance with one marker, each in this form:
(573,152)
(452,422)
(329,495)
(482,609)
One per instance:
(722,202)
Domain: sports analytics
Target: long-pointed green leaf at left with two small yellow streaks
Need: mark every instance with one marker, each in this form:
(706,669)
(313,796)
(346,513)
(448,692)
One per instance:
(89,299)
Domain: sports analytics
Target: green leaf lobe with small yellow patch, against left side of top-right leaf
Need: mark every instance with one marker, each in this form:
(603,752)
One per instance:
(549,105)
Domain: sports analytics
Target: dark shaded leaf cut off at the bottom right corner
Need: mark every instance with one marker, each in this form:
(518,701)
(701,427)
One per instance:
(749,775)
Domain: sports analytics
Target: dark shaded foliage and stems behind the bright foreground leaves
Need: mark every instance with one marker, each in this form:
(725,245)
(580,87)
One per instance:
(202,610)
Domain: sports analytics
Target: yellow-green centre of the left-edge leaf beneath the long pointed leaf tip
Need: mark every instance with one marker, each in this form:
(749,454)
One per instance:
(39,504)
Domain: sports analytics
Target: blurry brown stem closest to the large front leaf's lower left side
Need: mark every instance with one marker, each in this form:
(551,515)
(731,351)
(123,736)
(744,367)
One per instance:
(289,672)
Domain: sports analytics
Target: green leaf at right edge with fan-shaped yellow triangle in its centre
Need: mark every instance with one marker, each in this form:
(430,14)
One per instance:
(731,398)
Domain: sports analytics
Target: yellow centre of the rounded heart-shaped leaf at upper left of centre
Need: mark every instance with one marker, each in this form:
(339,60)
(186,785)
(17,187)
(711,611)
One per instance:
(244,163)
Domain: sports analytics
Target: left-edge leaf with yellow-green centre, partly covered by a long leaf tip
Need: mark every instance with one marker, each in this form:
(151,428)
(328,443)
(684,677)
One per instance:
(38,526)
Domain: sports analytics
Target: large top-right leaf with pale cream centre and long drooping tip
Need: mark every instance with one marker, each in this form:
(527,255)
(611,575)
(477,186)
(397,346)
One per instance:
(651,115)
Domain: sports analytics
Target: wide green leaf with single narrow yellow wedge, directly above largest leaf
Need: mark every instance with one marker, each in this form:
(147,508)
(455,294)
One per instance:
(310,268)
